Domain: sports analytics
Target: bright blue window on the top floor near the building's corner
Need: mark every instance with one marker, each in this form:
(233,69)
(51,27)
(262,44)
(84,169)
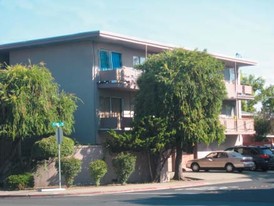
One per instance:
(110,60)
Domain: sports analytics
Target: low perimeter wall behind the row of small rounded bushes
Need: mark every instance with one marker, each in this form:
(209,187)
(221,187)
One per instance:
(47,175)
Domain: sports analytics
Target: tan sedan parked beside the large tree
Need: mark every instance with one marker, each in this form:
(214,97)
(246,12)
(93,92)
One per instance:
(221,160)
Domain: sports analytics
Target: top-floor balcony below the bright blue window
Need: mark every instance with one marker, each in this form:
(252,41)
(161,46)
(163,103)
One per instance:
(121,79)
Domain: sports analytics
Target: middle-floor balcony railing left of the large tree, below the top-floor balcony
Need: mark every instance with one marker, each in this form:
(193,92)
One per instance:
(116,123)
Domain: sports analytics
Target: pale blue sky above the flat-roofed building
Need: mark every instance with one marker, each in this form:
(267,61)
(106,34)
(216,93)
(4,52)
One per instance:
(225,27)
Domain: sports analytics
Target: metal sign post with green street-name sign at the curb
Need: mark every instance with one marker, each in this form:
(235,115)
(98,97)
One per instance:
(59,139)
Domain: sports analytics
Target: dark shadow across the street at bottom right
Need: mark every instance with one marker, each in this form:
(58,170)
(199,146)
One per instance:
(227,198)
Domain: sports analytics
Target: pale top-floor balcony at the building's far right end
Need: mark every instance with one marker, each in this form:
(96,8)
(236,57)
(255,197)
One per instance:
(243,91)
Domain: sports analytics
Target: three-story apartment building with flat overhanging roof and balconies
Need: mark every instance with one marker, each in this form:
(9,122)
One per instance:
(99,68)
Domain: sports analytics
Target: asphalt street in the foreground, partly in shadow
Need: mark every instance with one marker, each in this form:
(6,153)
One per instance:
(258,191)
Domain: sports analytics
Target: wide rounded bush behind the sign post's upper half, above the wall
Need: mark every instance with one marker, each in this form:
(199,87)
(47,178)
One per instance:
(47,148)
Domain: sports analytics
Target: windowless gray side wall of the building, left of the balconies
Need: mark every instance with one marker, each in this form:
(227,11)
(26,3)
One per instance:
(71,66)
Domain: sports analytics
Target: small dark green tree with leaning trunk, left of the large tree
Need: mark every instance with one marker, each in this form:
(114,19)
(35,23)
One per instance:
(149,136)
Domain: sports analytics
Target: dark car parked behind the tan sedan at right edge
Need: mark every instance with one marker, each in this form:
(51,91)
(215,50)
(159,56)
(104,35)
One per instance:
(262,156)
